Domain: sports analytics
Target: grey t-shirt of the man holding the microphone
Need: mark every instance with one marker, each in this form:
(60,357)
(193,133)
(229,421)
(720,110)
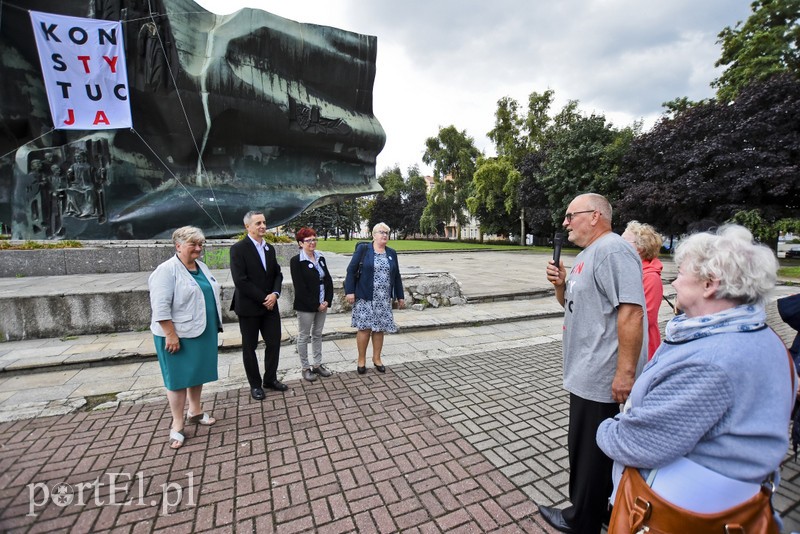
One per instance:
(605,274)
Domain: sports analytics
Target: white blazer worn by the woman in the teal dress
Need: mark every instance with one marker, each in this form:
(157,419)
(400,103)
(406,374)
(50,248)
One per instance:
(175,295)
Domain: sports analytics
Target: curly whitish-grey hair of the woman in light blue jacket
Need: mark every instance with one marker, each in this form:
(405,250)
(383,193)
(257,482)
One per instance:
(747,271)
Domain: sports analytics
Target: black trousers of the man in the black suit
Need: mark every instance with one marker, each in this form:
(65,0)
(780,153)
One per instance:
(269,325)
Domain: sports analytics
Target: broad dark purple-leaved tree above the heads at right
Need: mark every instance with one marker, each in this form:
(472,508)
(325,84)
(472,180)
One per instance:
(718,159)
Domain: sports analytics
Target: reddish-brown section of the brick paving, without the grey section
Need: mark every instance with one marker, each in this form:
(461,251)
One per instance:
(343,454)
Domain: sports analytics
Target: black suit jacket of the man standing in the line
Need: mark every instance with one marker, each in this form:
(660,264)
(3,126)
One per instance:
(252,282)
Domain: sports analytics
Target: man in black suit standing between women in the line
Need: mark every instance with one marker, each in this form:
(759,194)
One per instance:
(258,278)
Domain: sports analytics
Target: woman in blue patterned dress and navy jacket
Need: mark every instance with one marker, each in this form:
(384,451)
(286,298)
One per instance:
(372,281)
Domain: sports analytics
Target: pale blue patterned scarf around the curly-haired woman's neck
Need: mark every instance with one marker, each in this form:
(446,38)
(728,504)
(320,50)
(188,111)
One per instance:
(743,318)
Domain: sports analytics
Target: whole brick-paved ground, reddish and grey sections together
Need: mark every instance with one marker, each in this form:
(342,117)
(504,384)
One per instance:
(465,444)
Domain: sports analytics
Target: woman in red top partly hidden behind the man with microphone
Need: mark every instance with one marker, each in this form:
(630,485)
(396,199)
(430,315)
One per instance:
(647,243)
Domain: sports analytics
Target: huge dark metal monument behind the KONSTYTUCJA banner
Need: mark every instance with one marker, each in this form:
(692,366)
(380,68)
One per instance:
(230,113)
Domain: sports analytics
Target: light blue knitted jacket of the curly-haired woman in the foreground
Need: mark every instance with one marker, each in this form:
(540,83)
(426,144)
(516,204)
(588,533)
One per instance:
(722,401)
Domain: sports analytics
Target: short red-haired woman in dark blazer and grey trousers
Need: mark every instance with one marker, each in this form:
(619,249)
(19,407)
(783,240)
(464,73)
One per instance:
(313,294)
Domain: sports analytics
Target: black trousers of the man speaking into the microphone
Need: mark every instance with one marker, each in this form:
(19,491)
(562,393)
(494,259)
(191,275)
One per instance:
(589,468)
